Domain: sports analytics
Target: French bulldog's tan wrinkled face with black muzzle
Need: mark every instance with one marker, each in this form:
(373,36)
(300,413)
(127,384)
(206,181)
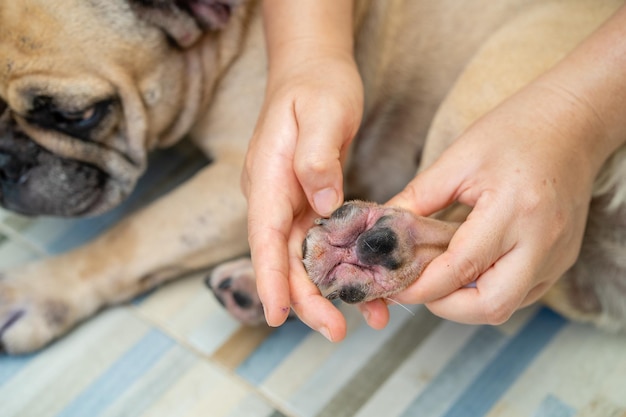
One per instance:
(86,88)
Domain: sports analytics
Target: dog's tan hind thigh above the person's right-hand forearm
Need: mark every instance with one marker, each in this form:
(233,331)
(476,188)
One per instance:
(515,55)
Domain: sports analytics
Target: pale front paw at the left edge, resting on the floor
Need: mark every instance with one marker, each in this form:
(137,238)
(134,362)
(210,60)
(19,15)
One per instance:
(30,317)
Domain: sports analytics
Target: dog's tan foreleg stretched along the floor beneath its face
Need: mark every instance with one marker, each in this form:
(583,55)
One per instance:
(200,223)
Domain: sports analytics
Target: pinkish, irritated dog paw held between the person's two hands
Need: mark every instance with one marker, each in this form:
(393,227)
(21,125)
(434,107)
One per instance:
(366,251)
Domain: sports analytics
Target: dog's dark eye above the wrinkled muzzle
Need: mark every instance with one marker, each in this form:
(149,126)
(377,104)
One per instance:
(75,123)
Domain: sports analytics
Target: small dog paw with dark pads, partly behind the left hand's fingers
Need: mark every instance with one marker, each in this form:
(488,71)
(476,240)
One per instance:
(234,285)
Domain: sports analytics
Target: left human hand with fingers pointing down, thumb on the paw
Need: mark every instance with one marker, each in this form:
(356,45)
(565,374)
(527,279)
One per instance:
(293,174)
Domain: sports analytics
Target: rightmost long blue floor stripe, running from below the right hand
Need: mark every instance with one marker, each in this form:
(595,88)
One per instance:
(506,367)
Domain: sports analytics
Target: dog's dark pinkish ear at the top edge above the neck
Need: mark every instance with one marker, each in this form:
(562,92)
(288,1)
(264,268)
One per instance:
(185,20)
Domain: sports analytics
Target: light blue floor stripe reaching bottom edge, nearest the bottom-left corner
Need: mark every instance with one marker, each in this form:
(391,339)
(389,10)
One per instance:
(105,390)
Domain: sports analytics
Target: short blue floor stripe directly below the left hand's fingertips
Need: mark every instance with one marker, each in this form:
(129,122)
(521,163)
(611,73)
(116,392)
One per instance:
(273,351)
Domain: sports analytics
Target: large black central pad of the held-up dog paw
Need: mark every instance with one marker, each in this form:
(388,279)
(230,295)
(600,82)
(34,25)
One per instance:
(376,246)
